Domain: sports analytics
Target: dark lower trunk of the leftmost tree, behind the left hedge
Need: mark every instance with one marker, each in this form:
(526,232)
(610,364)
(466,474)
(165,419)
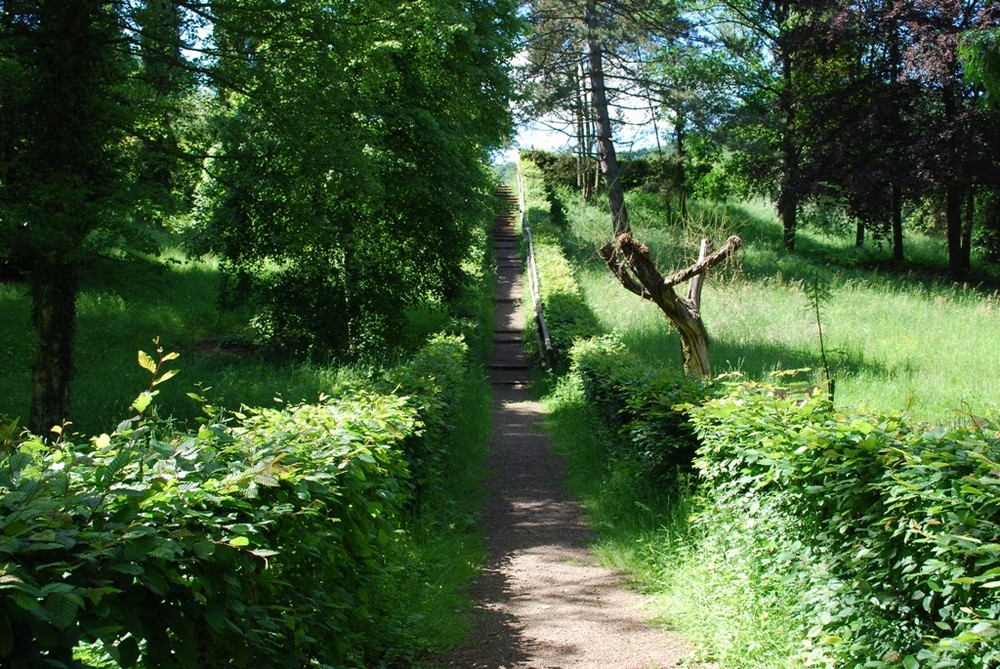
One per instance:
(53,291)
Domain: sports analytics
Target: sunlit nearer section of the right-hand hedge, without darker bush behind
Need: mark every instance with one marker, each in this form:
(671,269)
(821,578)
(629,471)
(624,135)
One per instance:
(901,522)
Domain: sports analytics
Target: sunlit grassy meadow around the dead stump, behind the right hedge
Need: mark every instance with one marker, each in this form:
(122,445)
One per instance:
(893,339)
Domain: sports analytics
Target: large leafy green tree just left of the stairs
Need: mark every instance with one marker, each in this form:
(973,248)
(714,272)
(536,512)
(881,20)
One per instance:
(373,141)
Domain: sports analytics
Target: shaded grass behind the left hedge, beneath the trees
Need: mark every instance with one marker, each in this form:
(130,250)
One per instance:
(124,305)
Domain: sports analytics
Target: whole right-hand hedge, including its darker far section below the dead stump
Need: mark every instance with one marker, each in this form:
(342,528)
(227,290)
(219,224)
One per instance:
(889,530)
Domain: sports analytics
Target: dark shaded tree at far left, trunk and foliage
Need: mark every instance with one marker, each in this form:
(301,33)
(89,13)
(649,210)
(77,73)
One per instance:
(63,157)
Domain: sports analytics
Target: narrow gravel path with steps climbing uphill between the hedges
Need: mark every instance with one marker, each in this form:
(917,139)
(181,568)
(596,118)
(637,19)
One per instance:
(542,602)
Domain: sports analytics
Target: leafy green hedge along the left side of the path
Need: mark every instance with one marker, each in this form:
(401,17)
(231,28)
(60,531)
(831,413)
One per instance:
(261,538)
